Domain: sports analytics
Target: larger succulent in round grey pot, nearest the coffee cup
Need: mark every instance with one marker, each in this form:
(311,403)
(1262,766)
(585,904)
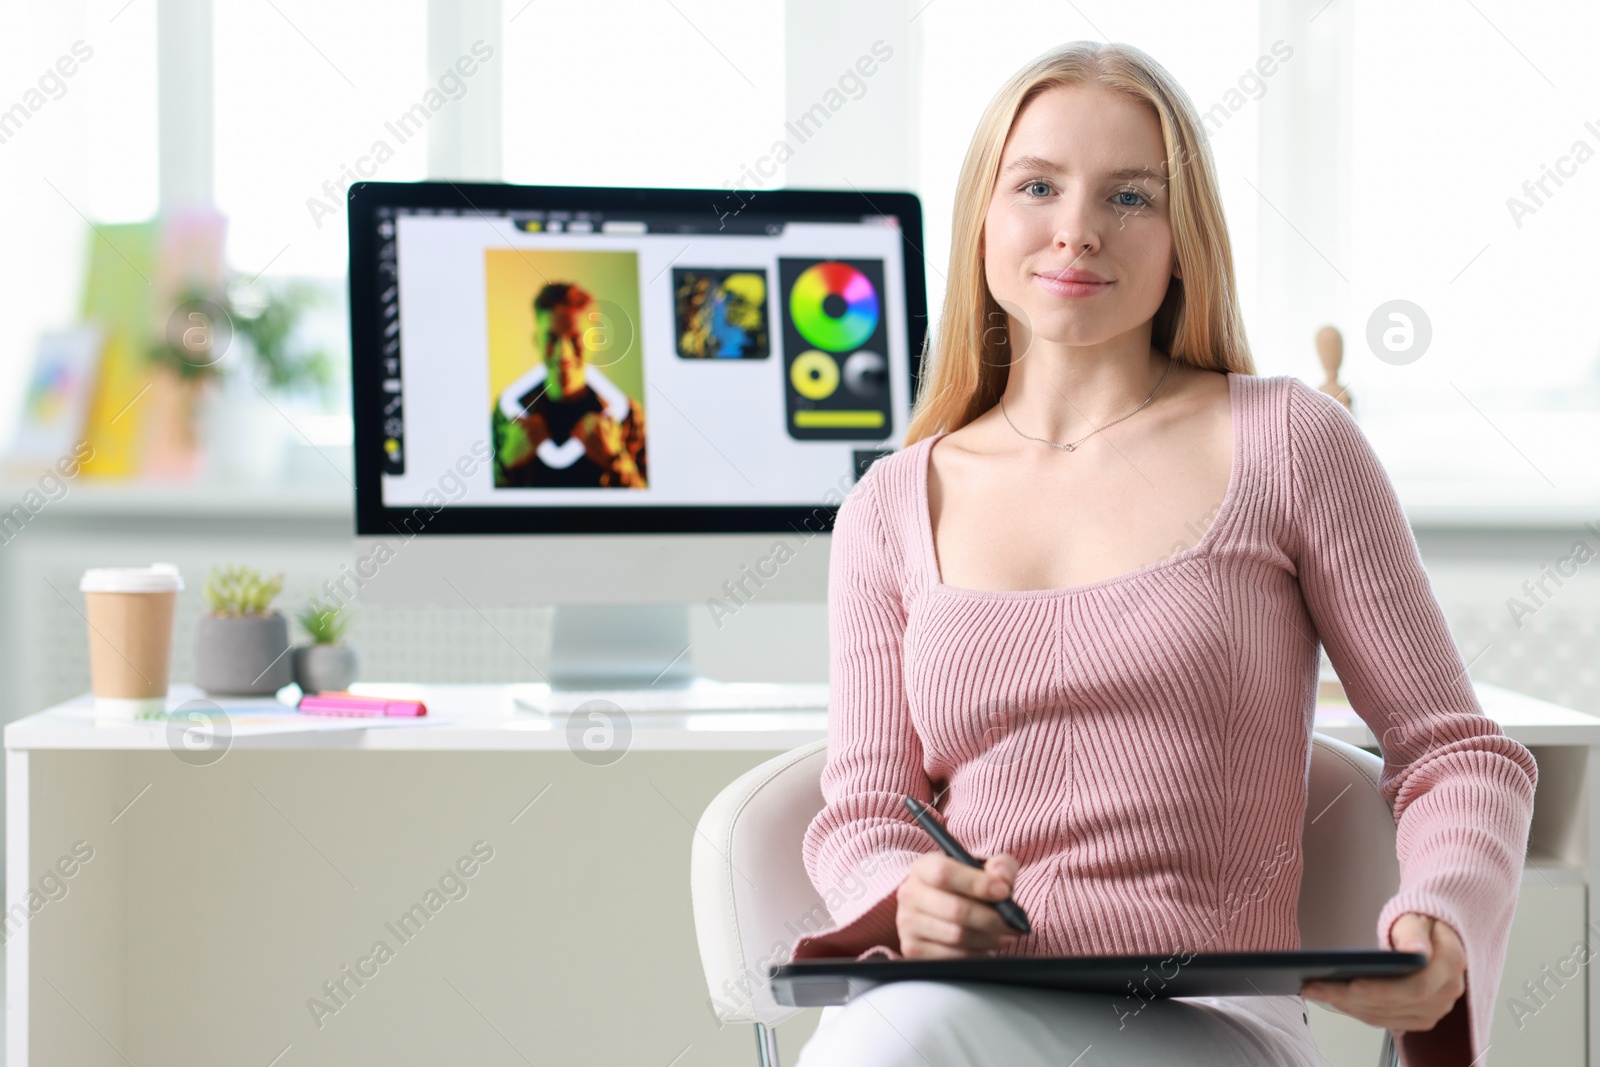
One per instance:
(242,644)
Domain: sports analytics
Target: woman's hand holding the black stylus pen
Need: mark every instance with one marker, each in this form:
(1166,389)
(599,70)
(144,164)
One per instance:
(946,909)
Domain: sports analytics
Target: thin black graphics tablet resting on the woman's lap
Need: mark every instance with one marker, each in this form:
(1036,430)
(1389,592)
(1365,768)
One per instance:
(822,983)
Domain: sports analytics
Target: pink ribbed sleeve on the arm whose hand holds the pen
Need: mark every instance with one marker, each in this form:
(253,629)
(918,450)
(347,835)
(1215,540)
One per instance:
(863,844)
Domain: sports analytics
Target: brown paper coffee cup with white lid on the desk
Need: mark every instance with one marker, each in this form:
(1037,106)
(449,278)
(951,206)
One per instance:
(130,620)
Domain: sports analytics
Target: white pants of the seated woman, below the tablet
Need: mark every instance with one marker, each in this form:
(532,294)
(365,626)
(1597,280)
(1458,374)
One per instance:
(969,1025)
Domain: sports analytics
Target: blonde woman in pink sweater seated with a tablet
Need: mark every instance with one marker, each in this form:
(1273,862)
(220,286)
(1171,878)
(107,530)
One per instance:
(1081,612)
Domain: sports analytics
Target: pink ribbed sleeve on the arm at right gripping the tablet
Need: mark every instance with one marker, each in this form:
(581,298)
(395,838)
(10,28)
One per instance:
(1462,789)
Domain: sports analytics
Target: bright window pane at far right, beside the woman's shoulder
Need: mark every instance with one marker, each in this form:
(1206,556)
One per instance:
(1476,196)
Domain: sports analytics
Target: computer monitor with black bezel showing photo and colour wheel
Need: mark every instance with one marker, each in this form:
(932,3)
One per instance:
(623,402)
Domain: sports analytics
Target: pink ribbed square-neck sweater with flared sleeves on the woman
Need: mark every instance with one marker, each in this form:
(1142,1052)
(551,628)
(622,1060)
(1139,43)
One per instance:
(1142,743)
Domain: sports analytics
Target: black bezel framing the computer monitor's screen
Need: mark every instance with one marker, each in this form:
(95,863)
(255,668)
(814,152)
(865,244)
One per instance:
(367,199)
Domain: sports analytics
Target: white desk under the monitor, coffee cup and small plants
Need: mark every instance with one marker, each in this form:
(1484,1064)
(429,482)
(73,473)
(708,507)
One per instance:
(230,909)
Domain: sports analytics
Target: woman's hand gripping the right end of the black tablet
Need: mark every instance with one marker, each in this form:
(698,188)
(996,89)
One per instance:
(1412,1002)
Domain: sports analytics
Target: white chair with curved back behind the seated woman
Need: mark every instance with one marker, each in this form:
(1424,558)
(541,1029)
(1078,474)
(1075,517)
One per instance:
(750,884)
